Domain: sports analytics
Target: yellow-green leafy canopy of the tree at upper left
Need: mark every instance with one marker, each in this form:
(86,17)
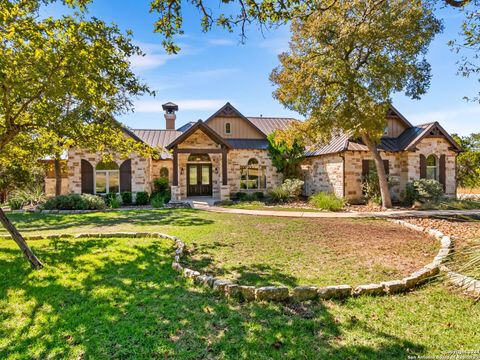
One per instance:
(61,82)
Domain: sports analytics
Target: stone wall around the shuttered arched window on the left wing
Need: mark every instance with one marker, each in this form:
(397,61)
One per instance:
(140,170)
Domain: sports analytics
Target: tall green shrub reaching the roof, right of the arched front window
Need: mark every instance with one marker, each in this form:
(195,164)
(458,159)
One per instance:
(286,151)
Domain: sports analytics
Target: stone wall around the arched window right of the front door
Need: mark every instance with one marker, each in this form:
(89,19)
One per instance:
(239,157)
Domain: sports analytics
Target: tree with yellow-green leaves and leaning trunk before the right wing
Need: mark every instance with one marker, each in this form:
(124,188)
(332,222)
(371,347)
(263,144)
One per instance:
(344,64)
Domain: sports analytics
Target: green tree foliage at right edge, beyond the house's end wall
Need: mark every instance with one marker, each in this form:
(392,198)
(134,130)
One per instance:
(468,162)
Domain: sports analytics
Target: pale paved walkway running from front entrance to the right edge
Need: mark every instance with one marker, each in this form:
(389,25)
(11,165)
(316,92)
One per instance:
(328,214)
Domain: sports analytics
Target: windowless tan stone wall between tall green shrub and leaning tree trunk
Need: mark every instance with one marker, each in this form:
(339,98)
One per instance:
(323,174)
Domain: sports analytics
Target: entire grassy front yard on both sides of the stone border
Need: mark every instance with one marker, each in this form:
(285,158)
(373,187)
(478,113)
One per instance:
(119,298)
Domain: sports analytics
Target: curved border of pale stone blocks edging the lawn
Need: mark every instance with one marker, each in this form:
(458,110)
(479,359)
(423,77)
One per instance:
(282,293)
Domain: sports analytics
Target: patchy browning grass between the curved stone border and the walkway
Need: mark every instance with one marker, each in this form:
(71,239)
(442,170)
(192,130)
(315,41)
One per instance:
(266,251)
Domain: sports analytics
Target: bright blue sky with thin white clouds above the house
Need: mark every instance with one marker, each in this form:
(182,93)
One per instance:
(213,68)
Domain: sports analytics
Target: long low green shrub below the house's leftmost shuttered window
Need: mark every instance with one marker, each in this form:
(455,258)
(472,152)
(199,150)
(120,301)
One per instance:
(75,202)
